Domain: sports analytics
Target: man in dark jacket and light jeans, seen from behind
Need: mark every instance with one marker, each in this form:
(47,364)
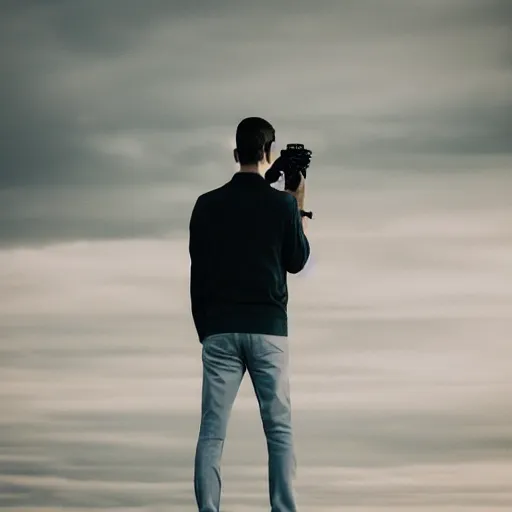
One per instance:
(244,238)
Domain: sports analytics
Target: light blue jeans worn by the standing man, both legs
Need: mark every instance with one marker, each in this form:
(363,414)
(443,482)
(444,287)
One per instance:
(226,357)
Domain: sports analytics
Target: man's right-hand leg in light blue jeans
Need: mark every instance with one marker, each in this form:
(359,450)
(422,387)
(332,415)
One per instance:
(268,361)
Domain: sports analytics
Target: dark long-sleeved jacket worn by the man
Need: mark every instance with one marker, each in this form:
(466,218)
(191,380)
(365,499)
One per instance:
(244,238)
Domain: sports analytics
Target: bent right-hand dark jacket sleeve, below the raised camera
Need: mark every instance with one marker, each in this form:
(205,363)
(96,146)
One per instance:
(296,249)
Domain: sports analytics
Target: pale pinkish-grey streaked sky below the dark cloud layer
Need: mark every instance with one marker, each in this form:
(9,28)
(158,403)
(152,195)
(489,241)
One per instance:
(401,398)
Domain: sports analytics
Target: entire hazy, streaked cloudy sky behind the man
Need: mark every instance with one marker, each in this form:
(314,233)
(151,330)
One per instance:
(115,115)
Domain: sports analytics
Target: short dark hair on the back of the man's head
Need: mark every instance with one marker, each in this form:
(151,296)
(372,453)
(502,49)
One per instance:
(254,137)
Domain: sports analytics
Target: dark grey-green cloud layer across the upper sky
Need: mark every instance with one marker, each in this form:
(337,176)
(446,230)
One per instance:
(148,93)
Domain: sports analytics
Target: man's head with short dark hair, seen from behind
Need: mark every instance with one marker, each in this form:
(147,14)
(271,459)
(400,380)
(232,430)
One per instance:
(254,139)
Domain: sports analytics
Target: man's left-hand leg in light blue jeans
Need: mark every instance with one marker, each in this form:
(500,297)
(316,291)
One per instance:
(223,371)
